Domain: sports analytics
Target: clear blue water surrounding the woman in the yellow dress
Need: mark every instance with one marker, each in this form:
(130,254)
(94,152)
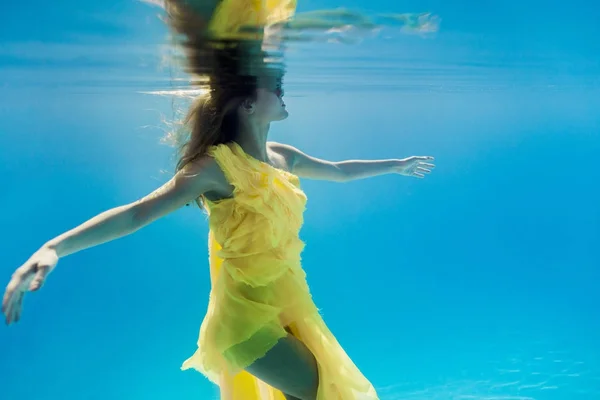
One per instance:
(478,282)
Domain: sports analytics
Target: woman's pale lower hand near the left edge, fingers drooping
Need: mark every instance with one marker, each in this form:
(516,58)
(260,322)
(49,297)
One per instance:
(28,277)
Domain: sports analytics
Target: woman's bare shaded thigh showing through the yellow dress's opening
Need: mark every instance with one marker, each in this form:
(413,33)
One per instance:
(290,367)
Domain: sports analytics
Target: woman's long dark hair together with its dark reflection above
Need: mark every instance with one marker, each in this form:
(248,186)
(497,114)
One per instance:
(226,69)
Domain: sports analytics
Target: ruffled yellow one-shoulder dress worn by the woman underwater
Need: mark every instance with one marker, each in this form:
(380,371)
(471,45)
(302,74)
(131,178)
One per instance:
(258,286)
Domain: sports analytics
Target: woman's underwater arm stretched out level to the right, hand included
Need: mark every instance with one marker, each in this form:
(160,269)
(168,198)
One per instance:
(306,166)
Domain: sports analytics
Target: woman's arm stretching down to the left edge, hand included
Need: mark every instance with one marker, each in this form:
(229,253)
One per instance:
(186,186)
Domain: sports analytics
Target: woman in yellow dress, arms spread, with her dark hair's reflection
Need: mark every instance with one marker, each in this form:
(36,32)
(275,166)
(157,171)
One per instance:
(262,336)
